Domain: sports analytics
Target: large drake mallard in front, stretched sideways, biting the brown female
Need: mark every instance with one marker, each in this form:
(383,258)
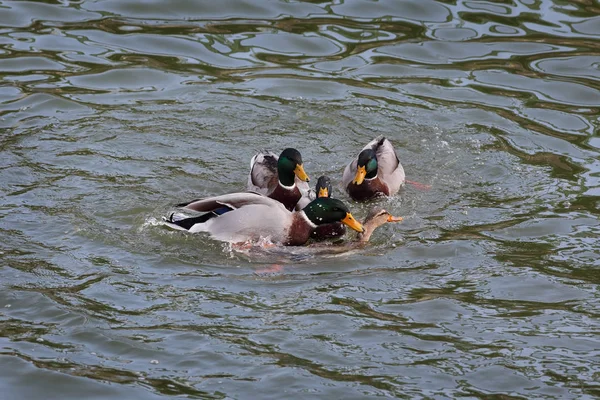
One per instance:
(239,217)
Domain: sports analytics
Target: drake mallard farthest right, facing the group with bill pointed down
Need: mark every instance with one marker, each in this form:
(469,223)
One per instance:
(375,172)
